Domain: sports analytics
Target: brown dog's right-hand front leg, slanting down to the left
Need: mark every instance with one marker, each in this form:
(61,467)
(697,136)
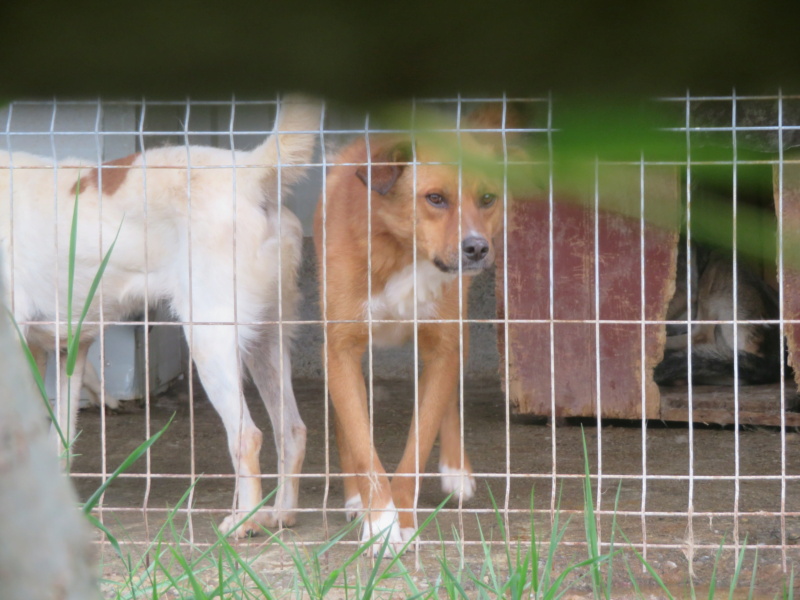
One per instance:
(439,352)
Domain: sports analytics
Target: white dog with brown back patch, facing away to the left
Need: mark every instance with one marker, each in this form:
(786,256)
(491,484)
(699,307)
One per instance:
(199,228)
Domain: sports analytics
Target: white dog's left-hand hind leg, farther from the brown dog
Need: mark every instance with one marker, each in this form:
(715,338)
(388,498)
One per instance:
(214,353)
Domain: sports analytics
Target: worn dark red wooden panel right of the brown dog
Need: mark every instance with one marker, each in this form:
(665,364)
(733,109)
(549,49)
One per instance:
(576,339)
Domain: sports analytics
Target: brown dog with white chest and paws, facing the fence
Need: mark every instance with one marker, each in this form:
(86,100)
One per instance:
(437,219)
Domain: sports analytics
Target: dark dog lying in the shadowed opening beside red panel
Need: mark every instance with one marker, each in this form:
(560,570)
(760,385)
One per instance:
(757,345)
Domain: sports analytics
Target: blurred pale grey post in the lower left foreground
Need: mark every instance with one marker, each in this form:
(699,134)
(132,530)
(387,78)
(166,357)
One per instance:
(45,551)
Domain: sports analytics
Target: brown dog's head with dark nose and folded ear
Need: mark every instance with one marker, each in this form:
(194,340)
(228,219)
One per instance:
(446,189)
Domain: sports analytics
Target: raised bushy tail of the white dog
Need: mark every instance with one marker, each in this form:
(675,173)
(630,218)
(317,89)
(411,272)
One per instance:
(293,139)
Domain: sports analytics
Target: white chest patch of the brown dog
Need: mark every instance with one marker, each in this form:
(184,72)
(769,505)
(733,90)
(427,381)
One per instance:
(396,302)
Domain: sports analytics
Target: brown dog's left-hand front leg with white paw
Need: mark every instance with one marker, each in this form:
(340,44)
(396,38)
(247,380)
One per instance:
(348,393)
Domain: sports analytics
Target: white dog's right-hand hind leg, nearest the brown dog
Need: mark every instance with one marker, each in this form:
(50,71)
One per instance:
(263,362)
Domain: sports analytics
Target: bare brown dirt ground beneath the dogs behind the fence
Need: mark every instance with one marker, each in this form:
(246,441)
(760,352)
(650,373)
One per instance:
(525,450)
